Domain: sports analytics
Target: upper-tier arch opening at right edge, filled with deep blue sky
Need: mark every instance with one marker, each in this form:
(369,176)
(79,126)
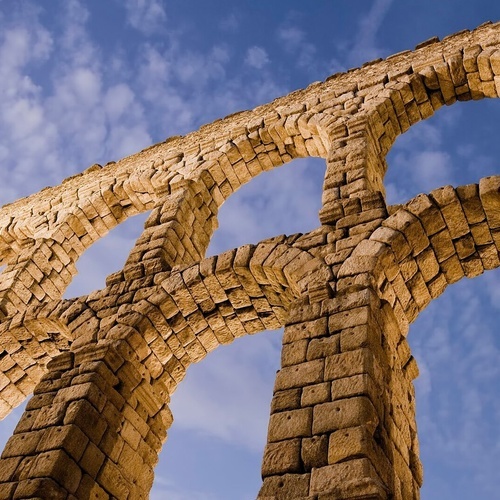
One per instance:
(450,147)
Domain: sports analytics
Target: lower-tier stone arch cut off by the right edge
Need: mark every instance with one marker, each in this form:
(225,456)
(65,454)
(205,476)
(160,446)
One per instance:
(431,242)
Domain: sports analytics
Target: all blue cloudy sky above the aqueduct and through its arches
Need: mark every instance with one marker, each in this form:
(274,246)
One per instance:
(90,82)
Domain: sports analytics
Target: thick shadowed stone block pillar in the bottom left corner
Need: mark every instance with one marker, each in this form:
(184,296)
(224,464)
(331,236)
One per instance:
(93,429)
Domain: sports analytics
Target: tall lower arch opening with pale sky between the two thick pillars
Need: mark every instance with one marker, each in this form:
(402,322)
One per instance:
(221,412)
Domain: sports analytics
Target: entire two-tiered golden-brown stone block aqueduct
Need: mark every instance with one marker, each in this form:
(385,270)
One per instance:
(102,367)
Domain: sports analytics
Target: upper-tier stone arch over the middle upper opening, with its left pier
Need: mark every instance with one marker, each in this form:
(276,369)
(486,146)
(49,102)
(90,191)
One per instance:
(185,217)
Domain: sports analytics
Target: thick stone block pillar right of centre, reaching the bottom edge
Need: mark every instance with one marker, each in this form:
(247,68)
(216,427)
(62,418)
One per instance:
(342,415)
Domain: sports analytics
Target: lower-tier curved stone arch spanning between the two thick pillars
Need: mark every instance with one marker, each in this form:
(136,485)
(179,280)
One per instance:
(239,292)
